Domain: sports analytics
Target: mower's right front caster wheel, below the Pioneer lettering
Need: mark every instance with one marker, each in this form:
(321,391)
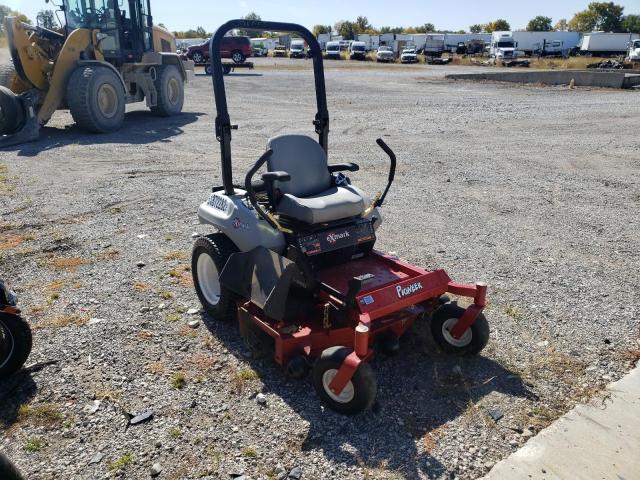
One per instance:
(471,343)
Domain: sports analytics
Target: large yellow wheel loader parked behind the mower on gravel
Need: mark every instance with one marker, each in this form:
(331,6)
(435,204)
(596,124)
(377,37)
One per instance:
(107,54)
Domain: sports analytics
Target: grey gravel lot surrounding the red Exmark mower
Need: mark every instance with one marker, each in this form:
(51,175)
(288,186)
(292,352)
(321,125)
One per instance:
(533,190)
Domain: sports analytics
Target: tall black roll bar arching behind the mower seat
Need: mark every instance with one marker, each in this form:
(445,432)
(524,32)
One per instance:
(223,121)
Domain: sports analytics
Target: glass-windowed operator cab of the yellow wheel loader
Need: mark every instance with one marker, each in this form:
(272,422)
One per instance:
(126,26)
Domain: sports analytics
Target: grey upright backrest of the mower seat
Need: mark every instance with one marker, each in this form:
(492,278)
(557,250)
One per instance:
(304,159)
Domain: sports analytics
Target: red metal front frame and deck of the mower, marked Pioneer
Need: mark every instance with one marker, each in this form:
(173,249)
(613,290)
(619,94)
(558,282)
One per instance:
(389,303)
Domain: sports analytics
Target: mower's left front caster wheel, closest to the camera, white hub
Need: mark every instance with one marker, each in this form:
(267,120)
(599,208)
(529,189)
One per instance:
(363,383)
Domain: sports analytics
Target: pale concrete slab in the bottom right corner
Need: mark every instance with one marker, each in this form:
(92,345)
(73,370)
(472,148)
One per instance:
(599,441)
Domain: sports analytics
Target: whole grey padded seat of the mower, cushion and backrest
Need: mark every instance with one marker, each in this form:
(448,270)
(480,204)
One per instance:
(309,196)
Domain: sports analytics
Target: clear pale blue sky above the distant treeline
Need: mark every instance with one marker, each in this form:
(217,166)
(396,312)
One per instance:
(457,15)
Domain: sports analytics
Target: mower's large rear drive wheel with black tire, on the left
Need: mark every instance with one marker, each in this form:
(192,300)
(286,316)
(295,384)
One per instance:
(219,248)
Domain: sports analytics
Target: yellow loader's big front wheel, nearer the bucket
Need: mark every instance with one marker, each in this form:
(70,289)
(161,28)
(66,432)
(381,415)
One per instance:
(96,99)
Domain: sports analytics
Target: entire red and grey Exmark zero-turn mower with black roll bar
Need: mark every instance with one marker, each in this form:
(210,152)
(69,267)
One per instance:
(294,259)
